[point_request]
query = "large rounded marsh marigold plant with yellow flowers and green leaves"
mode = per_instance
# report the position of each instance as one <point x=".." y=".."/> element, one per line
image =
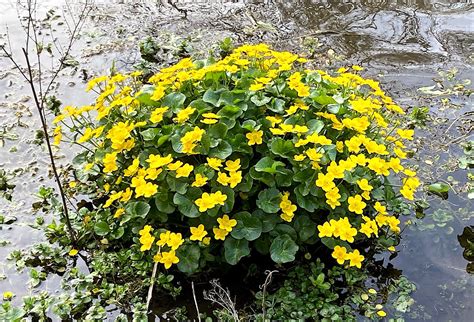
<point x="210" y="161"/>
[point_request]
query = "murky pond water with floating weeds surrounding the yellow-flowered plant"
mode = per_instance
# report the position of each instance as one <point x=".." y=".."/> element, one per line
<point x="404" y="44"/>
